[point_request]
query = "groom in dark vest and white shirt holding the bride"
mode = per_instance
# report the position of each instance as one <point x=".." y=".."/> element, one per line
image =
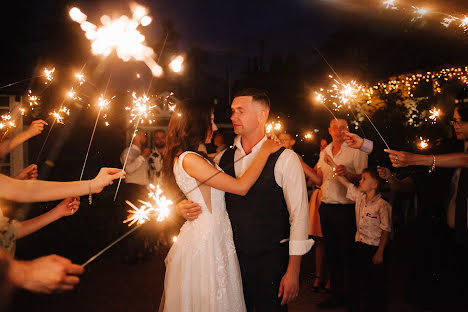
<point x="270" y="223"/>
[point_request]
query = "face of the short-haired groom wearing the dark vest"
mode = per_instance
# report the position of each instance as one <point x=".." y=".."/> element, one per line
<point x="248" y="116"/>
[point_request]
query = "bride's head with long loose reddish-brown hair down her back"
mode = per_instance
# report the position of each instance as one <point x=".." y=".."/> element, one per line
<point x="189" y="127"/>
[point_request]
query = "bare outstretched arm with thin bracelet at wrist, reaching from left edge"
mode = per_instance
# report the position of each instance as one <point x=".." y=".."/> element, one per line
<point x="36" y="191"/>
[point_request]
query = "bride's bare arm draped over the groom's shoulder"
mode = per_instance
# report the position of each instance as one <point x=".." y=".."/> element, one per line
<point x="200" y="169"/>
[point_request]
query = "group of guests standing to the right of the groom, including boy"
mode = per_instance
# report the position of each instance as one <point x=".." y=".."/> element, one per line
<point x="352" y="224"/>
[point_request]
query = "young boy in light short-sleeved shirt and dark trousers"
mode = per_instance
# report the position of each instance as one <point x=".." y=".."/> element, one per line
<point x="373" y="222"/>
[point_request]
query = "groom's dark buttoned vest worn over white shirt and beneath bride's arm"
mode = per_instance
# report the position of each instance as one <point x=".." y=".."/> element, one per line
<point x="260" y="219"/>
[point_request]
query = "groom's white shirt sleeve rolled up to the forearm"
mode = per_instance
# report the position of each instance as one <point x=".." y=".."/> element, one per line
<point x="290" y="176"/>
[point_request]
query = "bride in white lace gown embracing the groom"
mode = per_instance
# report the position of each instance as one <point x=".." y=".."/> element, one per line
<point x="202" y="270"/>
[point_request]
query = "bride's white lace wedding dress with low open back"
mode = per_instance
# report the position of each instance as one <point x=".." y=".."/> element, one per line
<point x="202" y="270"/>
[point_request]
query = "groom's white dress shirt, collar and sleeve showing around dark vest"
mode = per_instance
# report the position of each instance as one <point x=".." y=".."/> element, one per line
<point x="290" y="177"/>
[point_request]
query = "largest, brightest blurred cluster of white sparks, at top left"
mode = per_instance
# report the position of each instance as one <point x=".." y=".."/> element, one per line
<point x="120" y="35"/>
